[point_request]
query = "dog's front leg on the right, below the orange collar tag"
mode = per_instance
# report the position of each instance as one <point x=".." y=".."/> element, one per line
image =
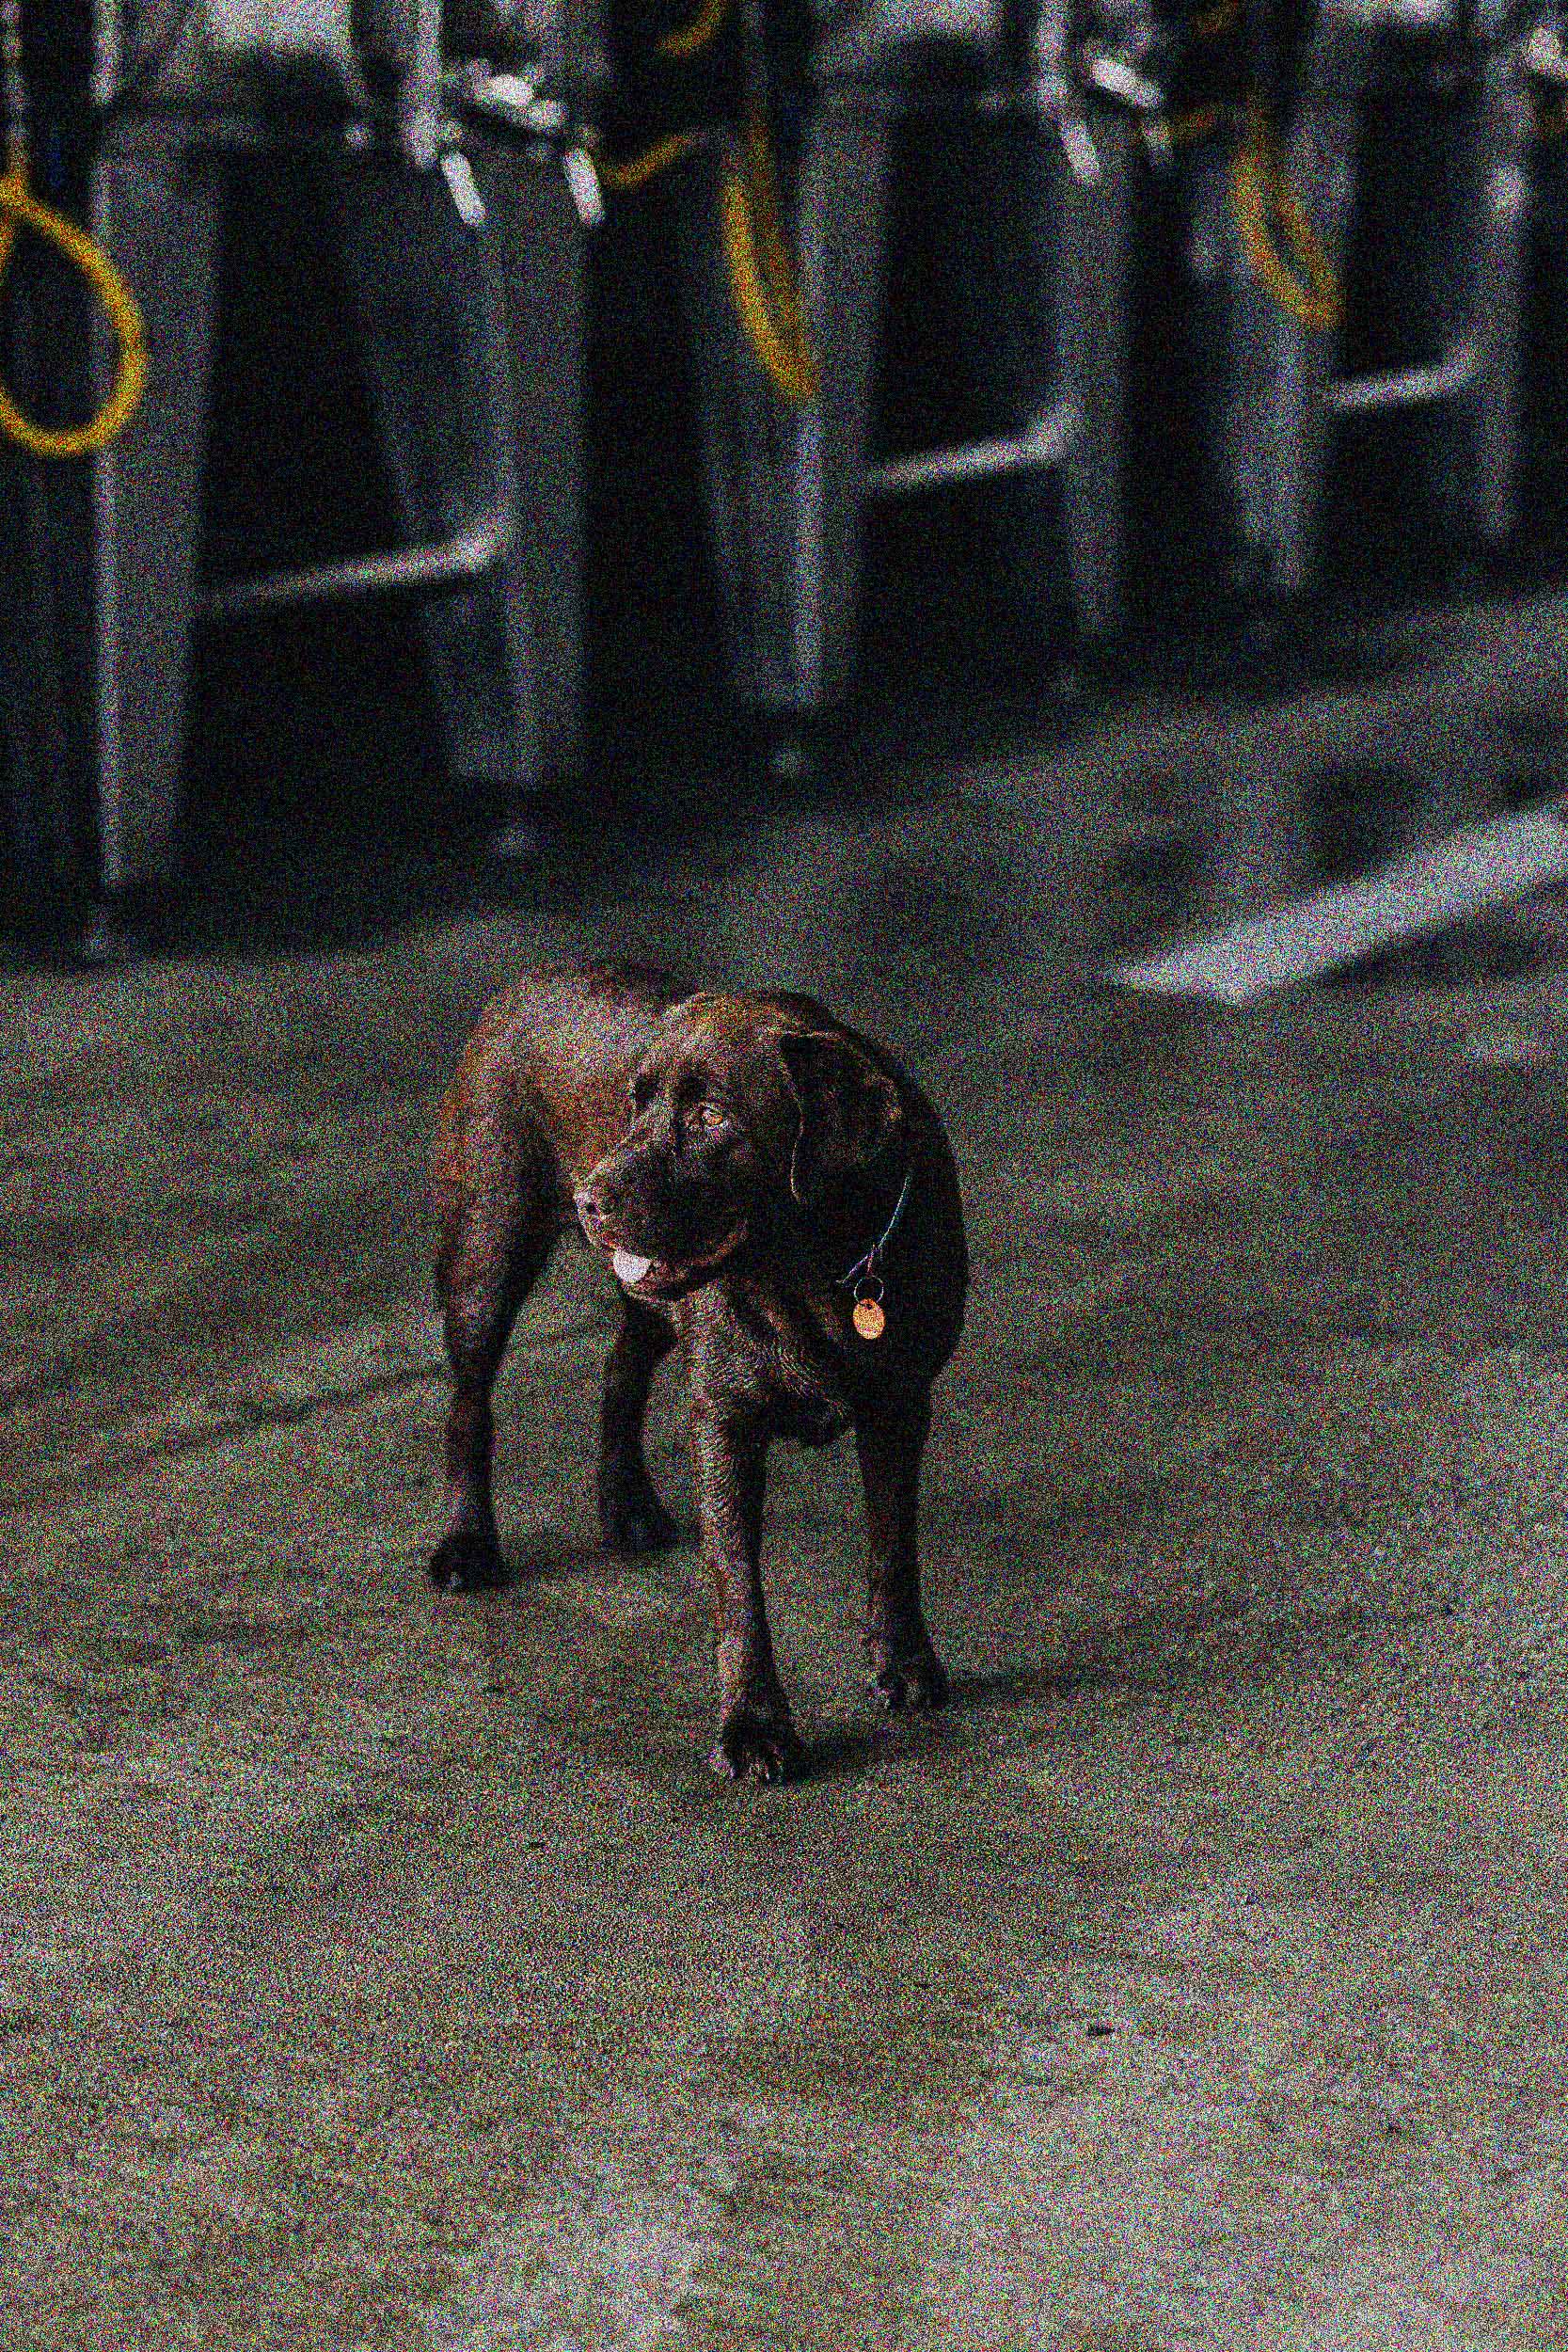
<point x="906" y="1671"/>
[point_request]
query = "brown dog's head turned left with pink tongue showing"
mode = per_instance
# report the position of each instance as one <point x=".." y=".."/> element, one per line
<point x="742" y="1109"/>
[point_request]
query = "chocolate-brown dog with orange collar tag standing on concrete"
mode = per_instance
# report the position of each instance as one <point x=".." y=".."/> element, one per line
<point x="770" y="1191"/>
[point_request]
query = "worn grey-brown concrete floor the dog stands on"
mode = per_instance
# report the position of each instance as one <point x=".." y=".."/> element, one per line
<point x="384" y="1970"/>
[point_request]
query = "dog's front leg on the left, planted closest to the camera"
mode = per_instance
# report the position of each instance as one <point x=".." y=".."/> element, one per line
<point x="756" y="1732"/>
